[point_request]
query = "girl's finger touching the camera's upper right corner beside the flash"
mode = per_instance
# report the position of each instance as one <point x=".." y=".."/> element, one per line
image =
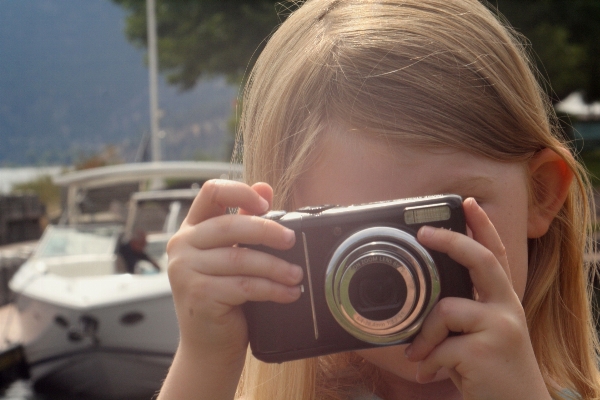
<point x="484" y="232"/>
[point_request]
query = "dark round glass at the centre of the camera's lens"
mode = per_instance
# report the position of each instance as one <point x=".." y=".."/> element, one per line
<point x="377" y="292"/>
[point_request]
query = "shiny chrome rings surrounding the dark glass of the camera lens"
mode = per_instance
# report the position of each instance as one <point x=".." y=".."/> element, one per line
<point x="399" y="250"/>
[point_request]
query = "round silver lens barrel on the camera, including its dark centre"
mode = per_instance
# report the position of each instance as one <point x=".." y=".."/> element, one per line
<point x="381" y="284"/>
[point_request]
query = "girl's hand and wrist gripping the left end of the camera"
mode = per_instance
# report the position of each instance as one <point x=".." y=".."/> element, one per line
<point x="211" y="278"/>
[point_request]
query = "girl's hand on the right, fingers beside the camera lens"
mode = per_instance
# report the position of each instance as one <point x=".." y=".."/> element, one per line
<point x="493" y="357"/>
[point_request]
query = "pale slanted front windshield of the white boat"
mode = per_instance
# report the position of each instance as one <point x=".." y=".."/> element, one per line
<point x="72" y="241"/>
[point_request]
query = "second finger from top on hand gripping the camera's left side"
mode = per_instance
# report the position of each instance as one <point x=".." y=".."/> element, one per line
<point x="231" y="229"/>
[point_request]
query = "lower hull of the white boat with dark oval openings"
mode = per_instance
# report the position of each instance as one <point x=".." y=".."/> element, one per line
<point x="115" y="351"/>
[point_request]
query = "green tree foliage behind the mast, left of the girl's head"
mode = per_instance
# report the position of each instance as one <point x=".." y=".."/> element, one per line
<point x="203" y="38"/>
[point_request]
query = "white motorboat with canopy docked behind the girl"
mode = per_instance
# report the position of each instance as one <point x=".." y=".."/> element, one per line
<point x="88" y="329"/>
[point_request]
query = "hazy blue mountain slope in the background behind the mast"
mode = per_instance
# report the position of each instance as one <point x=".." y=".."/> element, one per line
<point x="71" y="84"/>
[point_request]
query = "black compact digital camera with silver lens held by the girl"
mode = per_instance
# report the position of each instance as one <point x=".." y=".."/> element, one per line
<point x="367" y="281"/>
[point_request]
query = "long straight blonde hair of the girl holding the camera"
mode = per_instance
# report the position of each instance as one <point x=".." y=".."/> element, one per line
<point x="419" y="72"/>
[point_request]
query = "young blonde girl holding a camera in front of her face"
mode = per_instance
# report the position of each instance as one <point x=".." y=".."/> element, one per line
<point x="354" y="101"/>
